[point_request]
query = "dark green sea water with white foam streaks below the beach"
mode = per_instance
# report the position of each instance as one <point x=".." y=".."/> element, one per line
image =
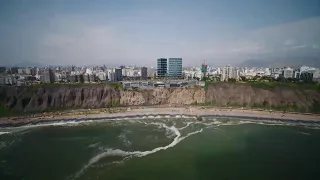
<point x="160" y="149"/>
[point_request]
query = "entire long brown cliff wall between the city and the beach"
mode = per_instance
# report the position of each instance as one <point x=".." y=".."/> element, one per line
<point x="44" y="98"/>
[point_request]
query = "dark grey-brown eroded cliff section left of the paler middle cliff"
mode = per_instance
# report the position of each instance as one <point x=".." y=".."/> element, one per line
<point x="29" y="99"/>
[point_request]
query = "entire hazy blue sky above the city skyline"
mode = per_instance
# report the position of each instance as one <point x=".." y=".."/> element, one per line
<point x="137" y="32"/>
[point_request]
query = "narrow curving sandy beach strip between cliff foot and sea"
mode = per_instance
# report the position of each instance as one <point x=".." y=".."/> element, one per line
<point x="245" y="114"/>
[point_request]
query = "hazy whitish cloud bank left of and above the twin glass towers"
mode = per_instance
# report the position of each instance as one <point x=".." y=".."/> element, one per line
<point x="107" y="44"/>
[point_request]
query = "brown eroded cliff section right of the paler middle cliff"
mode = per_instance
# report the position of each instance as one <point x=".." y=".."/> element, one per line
<point x="225" y="94"/>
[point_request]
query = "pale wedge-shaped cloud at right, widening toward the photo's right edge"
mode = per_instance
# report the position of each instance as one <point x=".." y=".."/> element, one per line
<point x="292" y="39"/>
